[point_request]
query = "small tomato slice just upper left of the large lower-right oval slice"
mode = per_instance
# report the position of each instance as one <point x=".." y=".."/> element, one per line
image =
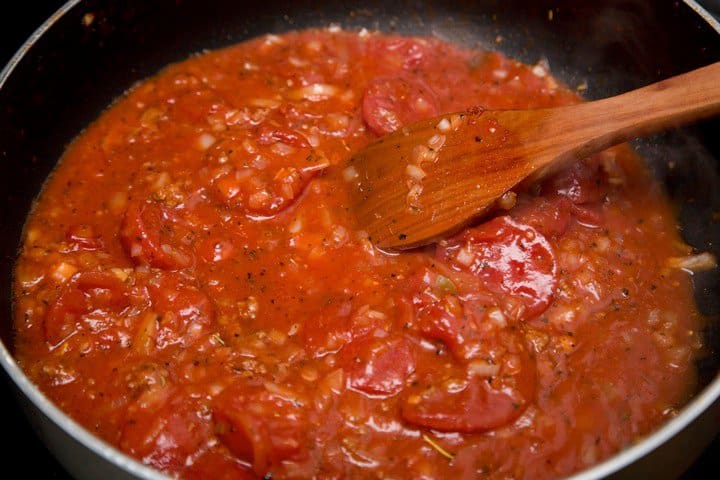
<point x="378" y="366"/>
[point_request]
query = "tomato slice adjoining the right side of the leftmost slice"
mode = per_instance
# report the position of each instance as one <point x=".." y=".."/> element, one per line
<point x="184" y="312"/>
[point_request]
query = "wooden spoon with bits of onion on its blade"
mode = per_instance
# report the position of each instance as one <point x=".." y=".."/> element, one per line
<point x="433" y="177"/>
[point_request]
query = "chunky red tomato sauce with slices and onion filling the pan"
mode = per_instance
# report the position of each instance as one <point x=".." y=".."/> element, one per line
<point x="192" y="288"/>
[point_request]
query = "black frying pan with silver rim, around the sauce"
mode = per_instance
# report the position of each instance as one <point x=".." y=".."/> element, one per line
<point x="73" y="71"/>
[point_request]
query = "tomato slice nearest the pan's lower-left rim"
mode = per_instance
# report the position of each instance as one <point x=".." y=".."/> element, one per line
<point x="167" y="434"/>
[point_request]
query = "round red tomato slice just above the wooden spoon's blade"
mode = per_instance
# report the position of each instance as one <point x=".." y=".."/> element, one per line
<point x="392" y="102"/>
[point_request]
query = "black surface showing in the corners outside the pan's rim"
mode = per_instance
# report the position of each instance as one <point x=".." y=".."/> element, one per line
<point x="17" y="22"/>
